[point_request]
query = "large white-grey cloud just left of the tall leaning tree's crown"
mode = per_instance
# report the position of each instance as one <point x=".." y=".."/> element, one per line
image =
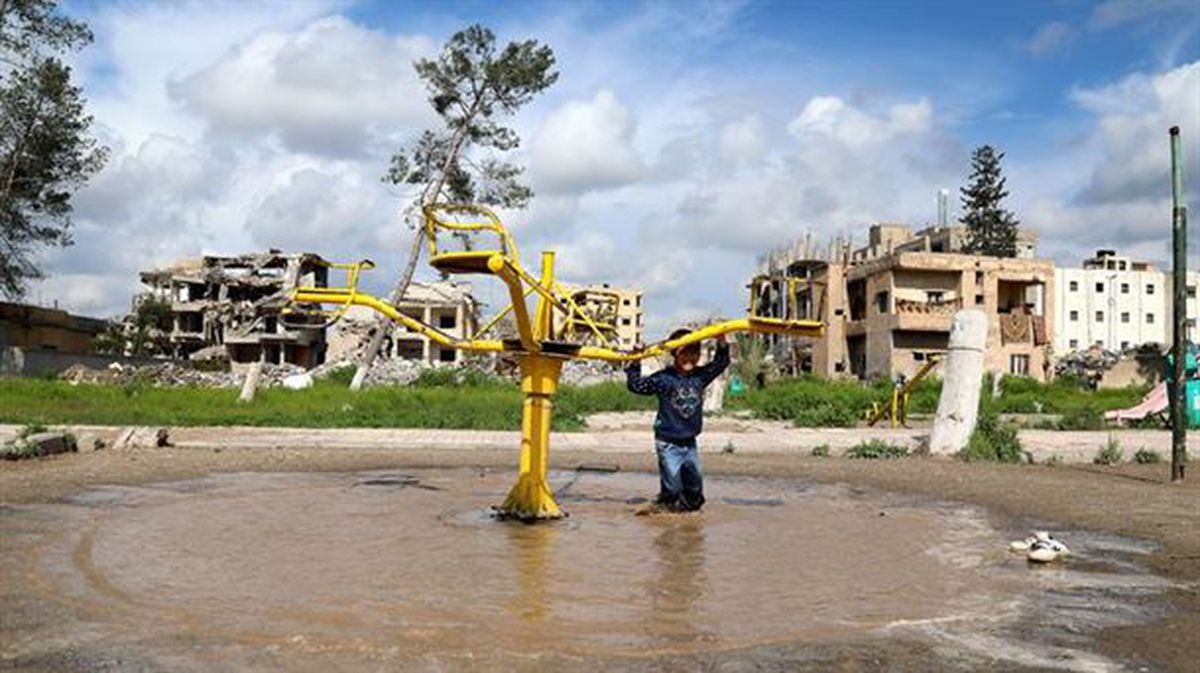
<point x="333" y="88"/>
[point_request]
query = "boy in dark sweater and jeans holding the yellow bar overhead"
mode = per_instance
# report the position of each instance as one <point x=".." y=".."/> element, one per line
<point x="681" y="392"/>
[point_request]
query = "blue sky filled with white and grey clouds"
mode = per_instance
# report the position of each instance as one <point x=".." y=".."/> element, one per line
<point x="681" y="141"/>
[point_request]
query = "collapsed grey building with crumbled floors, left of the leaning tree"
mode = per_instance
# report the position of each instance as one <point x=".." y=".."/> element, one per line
<point x="230" y="304"/>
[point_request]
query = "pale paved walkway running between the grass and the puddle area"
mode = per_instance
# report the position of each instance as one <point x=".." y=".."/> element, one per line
<point x="754" y="438"/>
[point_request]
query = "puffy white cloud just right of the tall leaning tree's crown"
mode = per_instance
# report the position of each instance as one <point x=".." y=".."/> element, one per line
<point x="585" y="146"/>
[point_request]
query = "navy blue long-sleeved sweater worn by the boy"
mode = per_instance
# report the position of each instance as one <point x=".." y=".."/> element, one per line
<point x="681" y="396"/>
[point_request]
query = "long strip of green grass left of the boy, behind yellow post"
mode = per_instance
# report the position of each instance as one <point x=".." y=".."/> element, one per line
<point x="481" y="404"/>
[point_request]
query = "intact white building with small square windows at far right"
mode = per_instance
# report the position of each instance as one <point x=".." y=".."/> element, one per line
<point x="1117" y="303"/>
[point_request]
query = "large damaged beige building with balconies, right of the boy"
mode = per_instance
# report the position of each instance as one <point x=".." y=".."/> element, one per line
<point x="889" y="307"/>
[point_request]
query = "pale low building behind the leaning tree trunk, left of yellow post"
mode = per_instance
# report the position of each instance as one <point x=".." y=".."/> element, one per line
<point x="446" y="305"/>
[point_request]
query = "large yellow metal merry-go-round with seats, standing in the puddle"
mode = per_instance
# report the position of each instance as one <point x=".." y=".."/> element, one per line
<point x="539" y="351"/>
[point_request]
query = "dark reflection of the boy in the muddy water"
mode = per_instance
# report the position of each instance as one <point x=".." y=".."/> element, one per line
<point x="676" y="597"/>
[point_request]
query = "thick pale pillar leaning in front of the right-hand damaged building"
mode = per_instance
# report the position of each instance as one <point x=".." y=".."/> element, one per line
<point x="963" y="372"/>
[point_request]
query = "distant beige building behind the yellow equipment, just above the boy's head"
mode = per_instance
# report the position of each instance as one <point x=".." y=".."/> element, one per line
<point x="617" y="311"/>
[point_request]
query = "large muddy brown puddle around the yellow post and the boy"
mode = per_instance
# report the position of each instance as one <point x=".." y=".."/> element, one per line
<point x="352" y="572"/>
